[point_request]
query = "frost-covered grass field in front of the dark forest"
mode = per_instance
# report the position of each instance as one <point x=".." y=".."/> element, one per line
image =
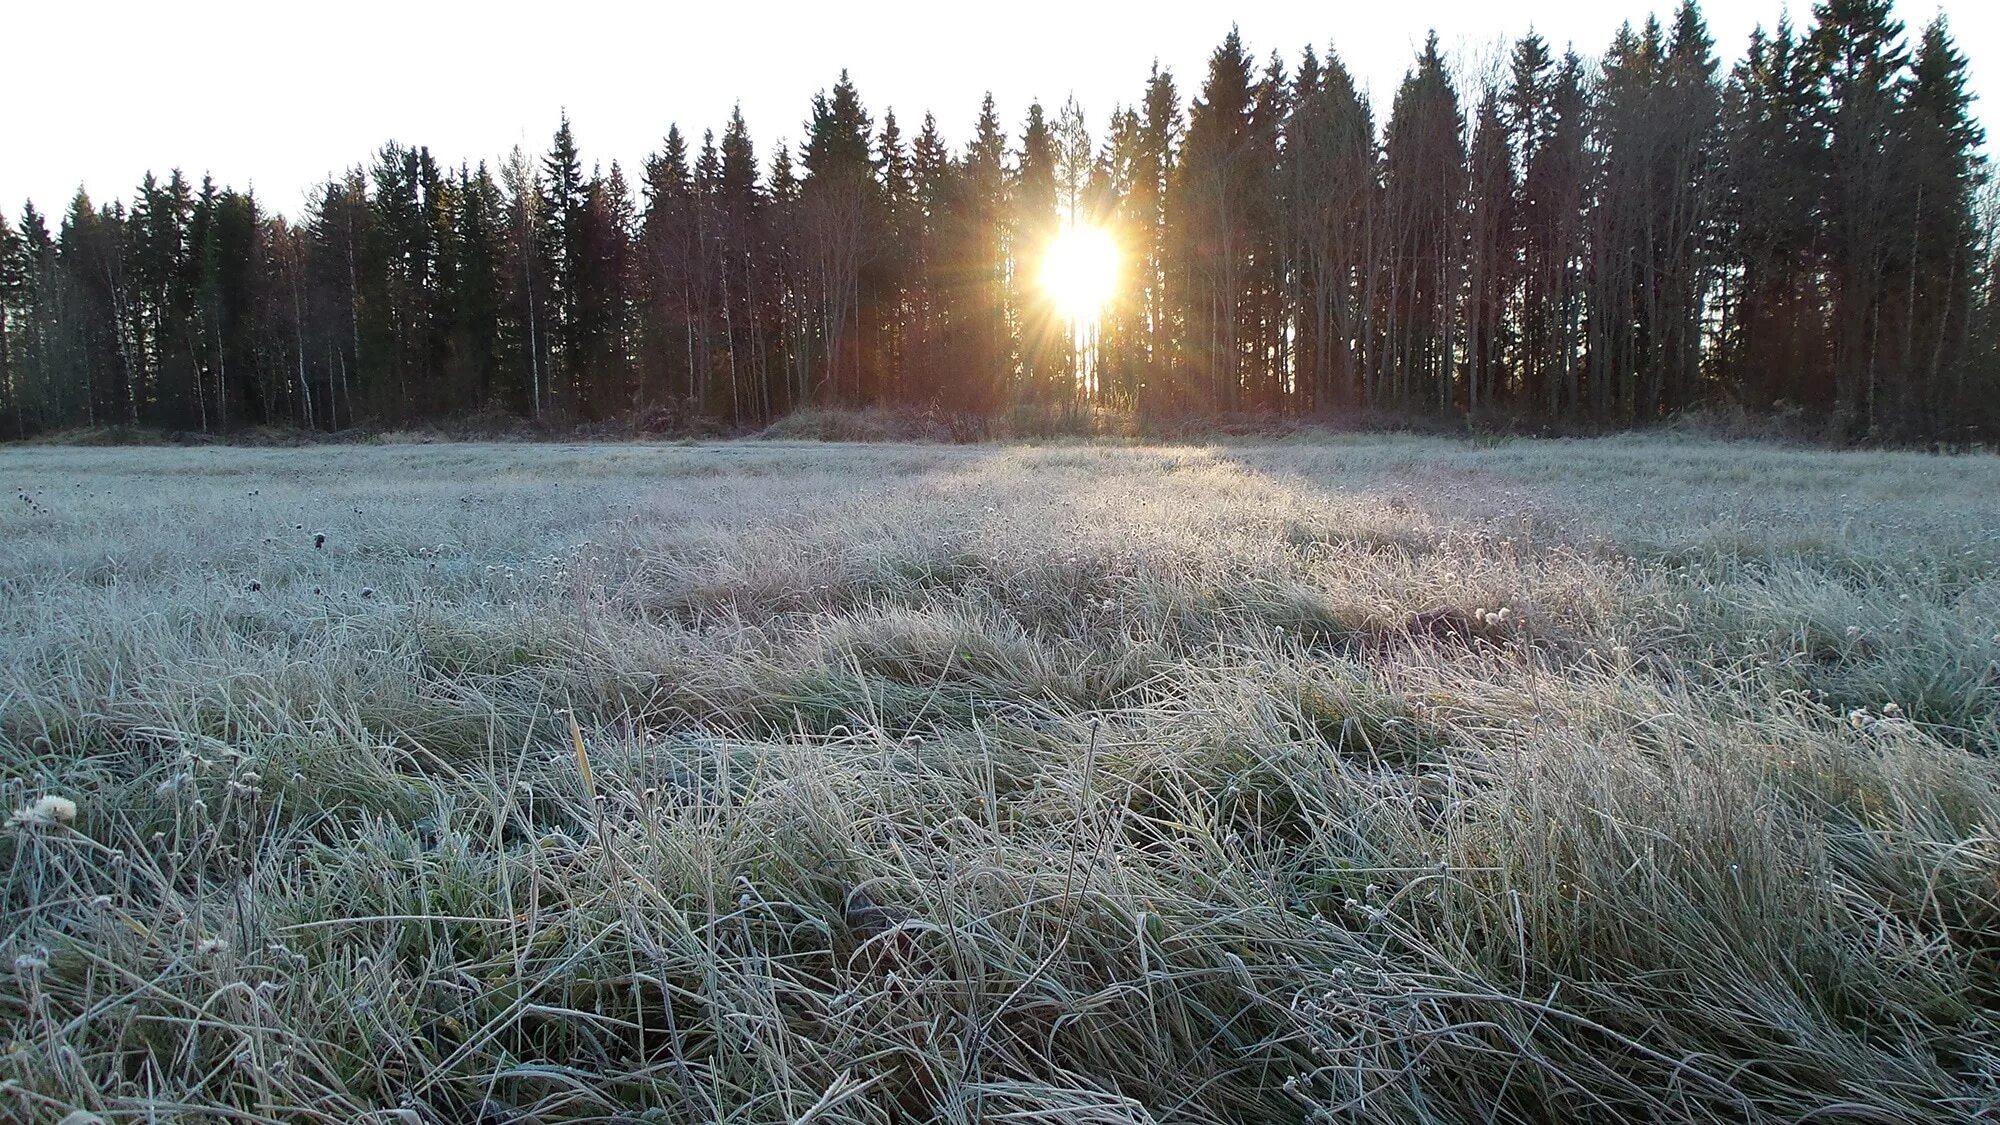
<point x="1365" y="780"/>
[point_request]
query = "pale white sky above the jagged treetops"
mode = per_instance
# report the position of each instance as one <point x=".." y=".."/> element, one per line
<point x="277" y="95"/>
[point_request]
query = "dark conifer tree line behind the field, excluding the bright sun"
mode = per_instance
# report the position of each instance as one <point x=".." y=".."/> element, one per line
<point x="1595" y="243"/>
